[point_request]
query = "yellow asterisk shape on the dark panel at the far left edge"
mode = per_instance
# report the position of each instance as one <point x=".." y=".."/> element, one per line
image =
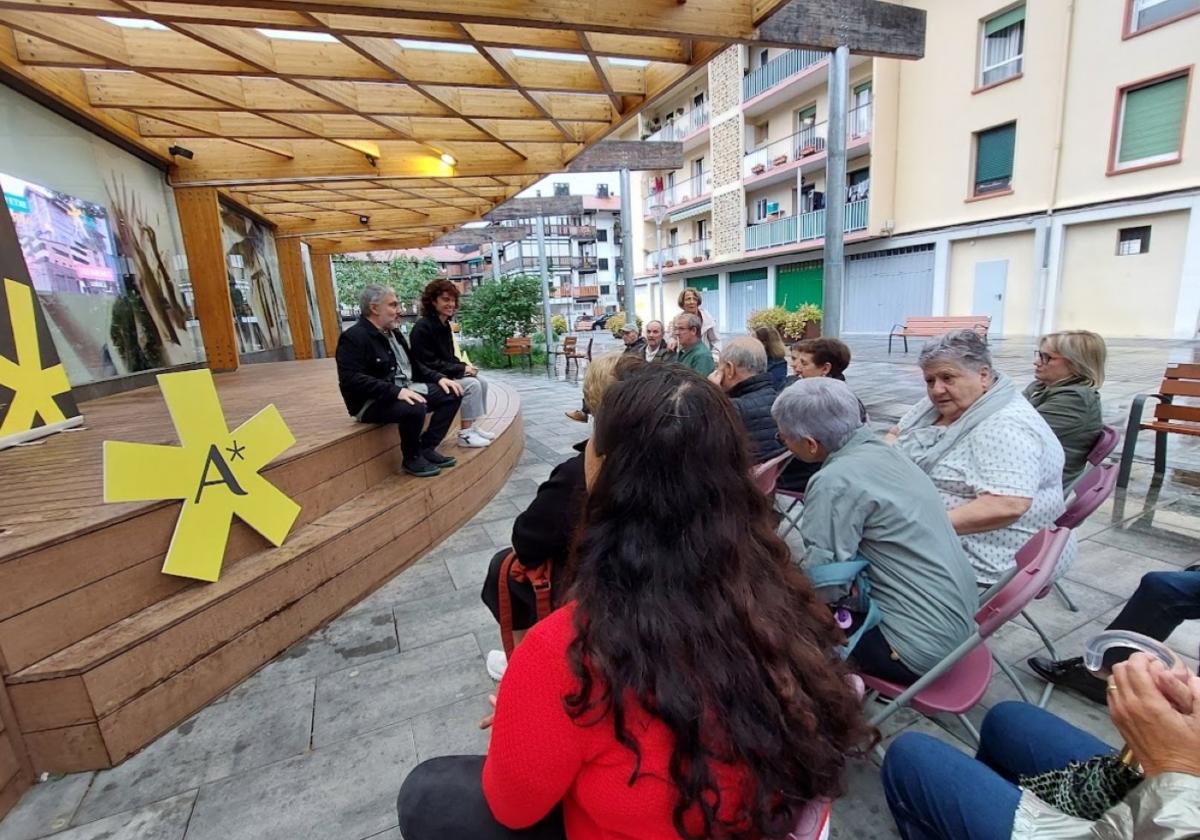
<point x="35" y="387"/>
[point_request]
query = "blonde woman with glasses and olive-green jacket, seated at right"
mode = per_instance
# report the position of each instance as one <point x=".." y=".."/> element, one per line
<point x="1069" y="369"/>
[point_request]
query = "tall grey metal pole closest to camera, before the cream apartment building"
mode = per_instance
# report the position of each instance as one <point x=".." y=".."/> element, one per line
<point x="836" y="194"/>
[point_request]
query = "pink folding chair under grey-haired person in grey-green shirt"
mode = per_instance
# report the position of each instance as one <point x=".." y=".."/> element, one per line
<point x="959" y="682"/>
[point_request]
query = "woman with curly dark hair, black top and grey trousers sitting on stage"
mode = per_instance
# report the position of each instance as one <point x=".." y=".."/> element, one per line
<point x="434" y="347"/>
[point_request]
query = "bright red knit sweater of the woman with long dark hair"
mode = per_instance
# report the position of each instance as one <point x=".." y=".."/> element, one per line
<point x="541" y="757"/>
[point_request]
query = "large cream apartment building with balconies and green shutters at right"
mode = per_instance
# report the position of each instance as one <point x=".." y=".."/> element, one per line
<point x="1036" y="166"/>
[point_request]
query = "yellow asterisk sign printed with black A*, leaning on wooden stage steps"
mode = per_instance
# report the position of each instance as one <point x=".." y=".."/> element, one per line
<point x="214" y="471"/>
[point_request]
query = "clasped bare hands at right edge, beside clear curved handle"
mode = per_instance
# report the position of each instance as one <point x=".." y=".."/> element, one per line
<point x="1163" y="739"/>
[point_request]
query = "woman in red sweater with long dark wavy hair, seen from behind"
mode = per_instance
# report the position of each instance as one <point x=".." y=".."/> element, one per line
<point x="689" y="687"/>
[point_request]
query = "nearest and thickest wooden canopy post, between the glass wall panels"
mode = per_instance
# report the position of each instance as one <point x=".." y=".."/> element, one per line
<point x="200" y="219"/>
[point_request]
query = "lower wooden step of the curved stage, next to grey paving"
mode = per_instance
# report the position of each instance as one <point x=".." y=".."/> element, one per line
<point x="107" y="695"/>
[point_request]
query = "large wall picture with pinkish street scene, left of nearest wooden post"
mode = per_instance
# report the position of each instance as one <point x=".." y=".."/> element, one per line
<point x="101" y="278"/>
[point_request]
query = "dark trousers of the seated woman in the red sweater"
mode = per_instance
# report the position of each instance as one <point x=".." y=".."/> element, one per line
<point x="443" y="800"/>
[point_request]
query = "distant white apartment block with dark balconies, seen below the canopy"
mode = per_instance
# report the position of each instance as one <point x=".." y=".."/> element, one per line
<point x="583" y="253"/>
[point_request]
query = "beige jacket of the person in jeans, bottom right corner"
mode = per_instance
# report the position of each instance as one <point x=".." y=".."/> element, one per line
<point x="1165" y="808"/>
